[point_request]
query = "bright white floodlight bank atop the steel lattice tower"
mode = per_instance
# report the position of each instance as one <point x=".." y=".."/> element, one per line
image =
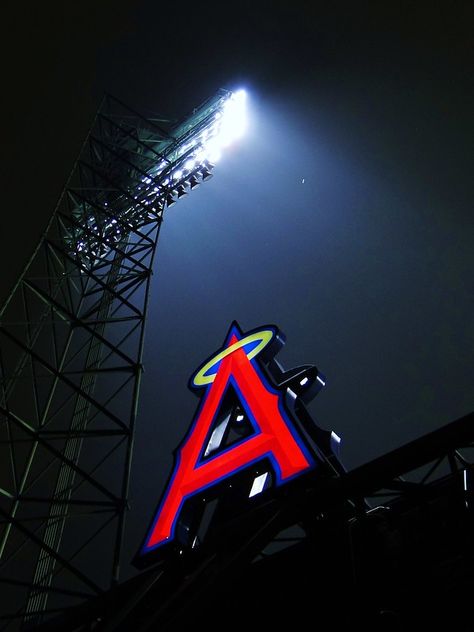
<point x="186" y="162"/>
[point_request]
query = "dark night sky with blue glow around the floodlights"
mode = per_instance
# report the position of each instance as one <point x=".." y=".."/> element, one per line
<point x="344" y="216"/>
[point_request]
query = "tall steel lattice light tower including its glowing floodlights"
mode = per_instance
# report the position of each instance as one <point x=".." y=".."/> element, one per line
<point x="71" y="344"/>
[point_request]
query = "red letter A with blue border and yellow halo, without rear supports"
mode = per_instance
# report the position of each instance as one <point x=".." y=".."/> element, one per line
<point x="207" y="456"/>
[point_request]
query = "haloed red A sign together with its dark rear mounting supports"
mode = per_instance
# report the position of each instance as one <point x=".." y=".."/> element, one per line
<point x="244" y="423"/>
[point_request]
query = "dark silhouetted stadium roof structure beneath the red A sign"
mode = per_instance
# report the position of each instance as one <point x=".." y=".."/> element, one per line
<point x="312" y="551"/>
